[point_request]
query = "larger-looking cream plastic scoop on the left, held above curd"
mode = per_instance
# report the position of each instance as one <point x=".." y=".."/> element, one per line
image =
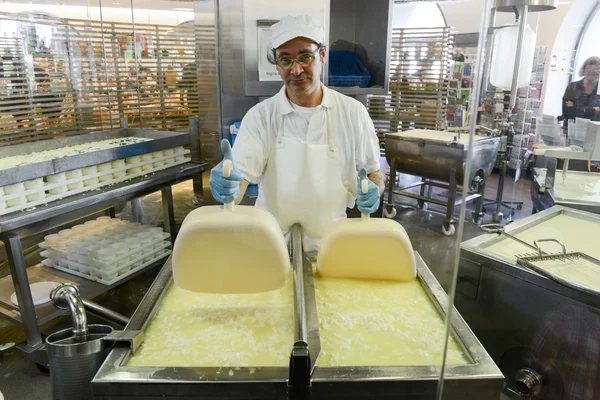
<point x="223" y="251"/>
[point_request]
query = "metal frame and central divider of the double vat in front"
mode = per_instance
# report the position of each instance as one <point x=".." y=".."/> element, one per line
<point x="303" y="380"/>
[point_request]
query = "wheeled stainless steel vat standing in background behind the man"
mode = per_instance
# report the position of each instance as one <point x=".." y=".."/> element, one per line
<point x="440" y="163"/>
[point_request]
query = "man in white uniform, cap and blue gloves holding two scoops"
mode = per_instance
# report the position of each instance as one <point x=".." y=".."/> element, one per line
<point x="307" y="145"/>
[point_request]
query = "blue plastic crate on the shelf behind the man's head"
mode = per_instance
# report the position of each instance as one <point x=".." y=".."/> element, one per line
<point x="345" y="69"/>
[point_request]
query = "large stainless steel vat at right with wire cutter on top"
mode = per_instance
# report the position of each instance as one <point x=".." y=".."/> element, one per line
<point x="509" y="306"/>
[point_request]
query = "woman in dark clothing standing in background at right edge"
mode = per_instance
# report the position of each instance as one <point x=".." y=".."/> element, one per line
<point x="581" y="99"/>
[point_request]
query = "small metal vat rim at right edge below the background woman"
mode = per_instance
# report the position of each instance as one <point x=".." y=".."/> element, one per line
<point x="544" y="195"/>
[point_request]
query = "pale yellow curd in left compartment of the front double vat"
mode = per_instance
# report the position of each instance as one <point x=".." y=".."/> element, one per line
<point x="217" y="330"/>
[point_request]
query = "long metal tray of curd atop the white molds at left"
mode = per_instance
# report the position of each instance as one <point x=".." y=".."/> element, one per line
<point x="160" y="140"/>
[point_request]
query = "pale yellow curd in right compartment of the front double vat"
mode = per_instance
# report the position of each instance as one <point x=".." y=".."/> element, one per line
<point x="380" y="323"/>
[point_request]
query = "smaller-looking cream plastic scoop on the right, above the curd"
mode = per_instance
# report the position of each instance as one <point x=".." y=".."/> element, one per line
<point x="367" y="248"/>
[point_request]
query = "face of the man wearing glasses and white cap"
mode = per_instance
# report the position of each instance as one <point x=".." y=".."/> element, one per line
<point x="301" y="79"/>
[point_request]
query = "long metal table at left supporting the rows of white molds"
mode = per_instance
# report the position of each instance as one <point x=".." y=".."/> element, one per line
<point x="42" y="218"/>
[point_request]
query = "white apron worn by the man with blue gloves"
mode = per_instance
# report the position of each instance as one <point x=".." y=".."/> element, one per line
<point x="302" y="183"/>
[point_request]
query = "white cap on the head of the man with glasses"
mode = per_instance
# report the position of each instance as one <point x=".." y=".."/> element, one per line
<point x="291" y="27"/>
